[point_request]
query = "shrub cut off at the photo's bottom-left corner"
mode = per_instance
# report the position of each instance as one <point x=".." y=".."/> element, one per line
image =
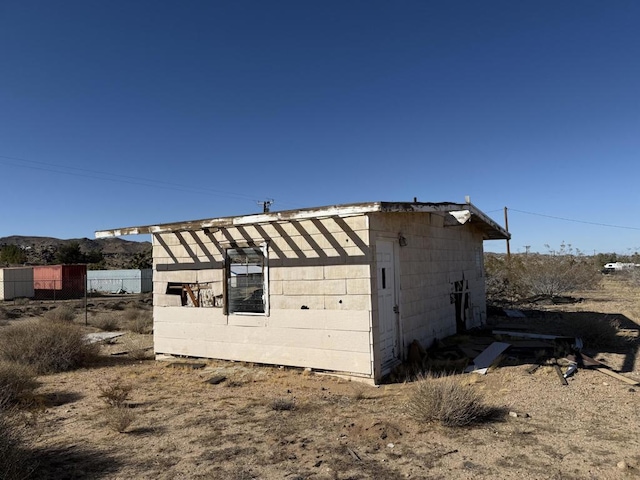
<point x="15" y="461"/>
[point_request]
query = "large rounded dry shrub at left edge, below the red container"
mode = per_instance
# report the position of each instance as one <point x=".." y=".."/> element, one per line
<point x="47" y="346"/>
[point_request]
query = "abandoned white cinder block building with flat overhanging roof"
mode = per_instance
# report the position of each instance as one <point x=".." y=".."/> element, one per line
<point x="344" y="288"/>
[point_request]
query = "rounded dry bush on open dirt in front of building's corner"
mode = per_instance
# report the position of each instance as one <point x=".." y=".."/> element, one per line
<point x="449" y="402"/>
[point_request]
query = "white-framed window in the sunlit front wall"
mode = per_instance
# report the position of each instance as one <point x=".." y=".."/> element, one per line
<point x="246" y="280"/>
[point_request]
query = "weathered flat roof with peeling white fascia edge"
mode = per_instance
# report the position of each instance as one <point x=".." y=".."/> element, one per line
<point x="455" y="212"/>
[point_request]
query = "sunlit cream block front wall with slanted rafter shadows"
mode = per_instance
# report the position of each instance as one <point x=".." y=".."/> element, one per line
<point x="319" y="295"/>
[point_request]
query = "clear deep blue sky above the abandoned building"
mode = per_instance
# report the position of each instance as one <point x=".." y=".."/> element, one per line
<point x="123" y="113"/>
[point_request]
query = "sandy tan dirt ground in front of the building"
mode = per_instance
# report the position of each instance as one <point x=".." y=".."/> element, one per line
<point x="279" y="423"/>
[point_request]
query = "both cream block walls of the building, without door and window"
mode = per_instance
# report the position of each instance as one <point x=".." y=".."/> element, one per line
<point x="321" y="285"/>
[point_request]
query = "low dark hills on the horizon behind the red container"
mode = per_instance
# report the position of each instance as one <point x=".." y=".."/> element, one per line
<point x="117" y="253"/>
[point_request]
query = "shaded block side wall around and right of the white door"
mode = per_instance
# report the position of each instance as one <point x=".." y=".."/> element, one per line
<point x="433" y="259"/>
